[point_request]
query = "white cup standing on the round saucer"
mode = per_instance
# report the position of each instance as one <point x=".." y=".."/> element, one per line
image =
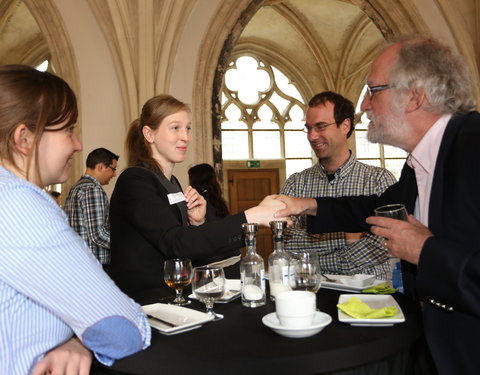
<point x="296" y="308"/>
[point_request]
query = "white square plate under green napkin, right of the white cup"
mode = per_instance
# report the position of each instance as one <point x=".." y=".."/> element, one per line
<point x="375" y="301"/>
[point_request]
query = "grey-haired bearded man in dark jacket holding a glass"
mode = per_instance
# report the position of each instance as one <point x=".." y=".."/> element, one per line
<point x="420" y="98"/>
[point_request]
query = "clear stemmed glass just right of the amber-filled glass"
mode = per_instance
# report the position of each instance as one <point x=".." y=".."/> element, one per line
<point x="209" y="286"/>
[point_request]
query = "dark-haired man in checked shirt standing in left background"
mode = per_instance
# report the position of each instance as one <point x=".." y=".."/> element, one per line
<point x="87" y="204"/>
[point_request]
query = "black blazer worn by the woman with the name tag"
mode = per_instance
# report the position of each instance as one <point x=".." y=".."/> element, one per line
<point x="145" y="230"/>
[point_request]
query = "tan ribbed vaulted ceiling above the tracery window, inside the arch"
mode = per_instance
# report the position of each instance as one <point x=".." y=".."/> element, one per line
<point x="323" y="45"/>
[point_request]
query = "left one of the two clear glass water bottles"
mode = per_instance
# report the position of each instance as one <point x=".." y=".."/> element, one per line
<point x="252" y="270"/>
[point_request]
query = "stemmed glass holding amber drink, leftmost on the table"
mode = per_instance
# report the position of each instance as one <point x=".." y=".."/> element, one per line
<point x="177" y="274"/>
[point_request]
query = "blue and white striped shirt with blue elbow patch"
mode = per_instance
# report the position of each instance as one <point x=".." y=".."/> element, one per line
<point x="52" y="287"/>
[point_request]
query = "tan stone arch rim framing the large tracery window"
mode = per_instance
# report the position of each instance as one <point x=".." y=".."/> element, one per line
<point x="391" y="19"/>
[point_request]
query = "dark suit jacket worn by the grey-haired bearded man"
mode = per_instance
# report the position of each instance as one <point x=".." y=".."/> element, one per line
<point x="447" y="278"/>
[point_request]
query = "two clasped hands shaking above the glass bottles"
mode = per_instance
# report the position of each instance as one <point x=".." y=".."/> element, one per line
<point x="280" y="207"/>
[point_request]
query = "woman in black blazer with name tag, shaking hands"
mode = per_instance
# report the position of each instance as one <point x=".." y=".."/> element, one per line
<point x="152" y="218"/>
